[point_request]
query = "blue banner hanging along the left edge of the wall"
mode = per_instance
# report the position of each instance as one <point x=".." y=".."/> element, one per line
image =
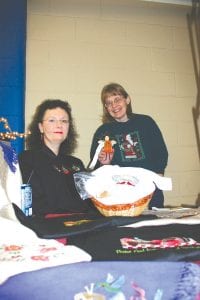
<point x="13" y="16"/>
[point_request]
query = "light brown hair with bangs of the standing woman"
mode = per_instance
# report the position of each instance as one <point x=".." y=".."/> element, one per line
<point x="110" y="90"/>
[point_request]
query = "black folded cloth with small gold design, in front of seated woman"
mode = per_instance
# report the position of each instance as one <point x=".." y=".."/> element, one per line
<point x="65" y="225"/>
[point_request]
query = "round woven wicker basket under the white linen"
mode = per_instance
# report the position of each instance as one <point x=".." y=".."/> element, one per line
<point x="126" y="210"/>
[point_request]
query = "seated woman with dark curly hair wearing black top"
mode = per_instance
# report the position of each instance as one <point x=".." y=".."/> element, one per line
<point x="48" y="165"/>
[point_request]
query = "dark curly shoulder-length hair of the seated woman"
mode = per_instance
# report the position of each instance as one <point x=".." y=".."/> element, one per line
<point x="34" y="141"/>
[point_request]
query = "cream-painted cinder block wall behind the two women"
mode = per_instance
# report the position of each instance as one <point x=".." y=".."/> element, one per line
<point x="75" y="47"/>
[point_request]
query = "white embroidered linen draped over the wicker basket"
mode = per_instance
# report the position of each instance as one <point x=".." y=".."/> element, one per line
<point x="121" y="185"/>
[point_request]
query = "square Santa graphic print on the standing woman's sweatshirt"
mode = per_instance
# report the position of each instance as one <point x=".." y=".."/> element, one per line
<point x="130" y="146"/>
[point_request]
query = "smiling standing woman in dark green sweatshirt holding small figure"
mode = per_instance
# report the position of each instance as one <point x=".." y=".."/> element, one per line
<point x="139" y="141"/>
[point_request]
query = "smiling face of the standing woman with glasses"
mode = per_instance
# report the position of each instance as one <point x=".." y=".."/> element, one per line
<point x="116" y="106"/>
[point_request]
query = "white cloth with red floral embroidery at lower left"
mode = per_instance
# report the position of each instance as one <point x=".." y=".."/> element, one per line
<point x="22" y="251"/>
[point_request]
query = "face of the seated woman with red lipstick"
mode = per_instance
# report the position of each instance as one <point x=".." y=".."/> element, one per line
<point x="54" y="126"/>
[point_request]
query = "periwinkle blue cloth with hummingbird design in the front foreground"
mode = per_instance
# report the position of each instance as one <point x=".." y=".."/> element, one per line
<point x="157" y="280"/>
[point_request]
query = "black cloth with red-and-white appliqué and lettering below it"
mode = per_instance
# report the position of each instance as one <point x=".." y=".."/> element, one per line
<point x="166" y="242"/>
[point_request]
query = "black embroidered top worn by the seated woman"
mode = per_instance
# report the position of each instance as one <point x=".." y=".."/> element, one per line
<point x="52" y="182"/>
